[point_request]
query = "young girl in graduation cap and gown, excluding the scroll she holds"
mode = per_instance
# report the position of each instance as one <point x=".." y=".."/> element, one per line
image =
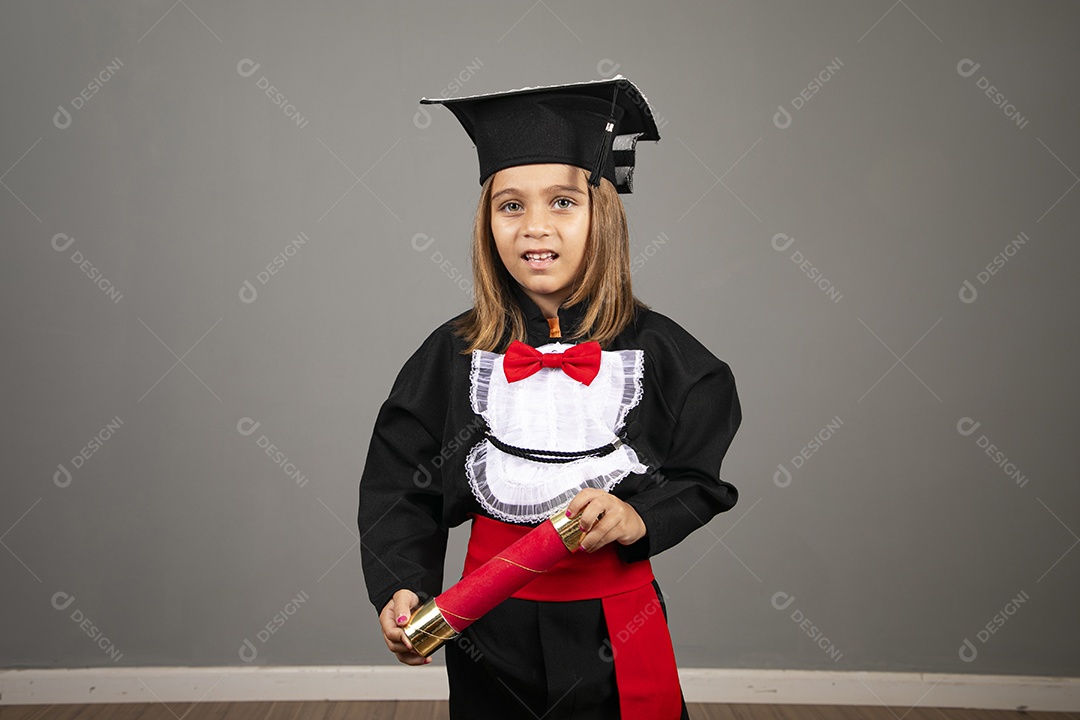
<point x="558" y="387"/>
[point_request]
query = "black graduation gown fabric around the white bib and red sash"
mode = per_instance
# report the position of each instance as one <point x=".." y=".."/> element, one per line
<point x="414" y="488"/>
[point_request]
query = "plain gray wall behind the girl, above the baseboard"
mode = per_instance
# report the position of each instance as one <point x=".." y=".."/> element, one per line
<point x="892" y="544"/>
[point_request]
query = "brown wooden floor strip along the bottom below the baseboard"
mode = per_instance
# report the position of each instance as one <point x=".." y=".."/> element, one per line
<point x="437" y="711"/>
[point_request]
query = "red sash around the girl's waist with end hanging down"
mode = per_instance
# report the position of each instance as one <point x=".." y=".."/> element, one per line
<point x="641" y="645"/>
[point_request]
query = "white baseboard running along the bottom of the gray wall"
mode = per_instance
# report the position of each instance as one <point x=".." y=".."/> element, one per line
<point x="187" y="685"/>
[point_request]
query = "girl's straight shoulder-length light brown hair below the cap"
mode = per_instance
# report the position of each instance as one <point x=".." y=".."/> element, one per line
<point x="497" y="318"/>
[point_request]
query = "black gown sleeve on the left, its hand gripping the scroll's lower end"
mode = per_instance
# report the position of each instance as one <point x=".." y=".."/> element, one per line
<point x="402" y="532"/>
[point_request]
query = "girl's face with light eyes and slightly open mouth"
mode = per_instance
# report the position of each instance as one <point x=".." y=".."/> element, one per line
<point x="541" y="219"/>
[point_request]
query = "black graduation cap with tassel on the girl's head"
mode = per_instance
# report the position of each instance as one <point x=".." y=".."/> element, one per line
<point x="593" y="125"/>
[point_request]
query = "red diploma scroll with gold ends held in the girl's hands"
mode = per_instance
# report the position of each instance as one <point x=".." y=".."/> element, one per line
<point x="442" y="618"/>
